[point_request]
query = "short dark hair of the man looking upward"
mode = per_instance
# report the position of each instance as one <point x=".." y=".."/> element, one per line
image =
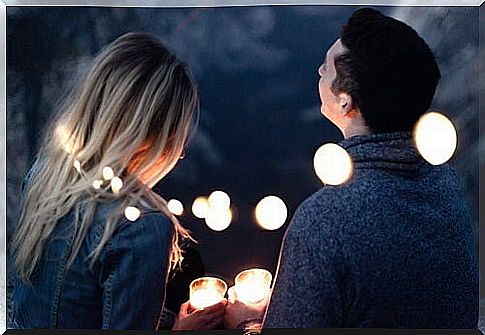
<point x="389" y="71"/>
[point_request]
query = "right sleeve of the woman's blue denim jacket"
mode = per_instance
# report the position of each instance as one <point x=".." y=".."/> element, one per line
<point x="134" y="273"/>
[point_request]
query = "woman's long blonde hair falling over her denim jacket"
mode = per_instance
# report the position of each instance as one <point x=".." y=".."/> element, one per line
<point x="132" y="112"/>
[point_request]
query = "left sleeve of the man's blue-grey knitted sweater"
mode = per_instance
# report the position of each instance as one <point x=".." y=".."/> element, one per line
<point x="308" y="290"/>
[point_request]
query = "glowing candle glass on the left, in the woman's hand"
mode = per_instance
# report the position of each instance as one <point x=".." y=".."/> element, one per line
<point x="206" y="291"/>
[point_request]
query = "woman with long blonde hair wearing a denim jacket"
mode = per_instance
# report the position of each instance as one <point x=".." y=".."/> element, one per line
<point x="94" y="243"/>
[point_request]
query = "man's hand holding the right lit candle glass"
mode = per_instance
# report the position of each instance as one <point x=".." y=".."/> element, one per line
<point x="238" y="312"/>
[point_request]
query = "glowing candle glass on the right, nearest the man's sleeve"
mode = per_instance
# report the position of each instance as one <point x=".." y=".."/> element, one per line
<point x="253" y="285"/>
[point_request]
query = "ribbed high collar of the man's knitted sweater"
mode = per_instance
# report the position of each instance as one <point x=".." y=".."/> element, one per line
<point x="389" y="151"/>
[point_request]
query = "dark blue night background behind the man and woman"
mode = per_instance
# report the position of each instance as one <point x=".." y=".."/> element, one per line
<point x="260" y="122"/>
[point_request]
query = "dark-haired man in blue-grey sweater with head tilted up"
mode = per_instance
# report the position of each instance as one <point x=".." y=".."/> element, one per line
<point x="393" y="247"/>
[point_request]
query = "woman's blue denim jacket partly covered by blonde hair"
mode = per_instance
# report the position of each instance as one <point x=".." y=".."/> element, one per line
<point x="124" y="289"/>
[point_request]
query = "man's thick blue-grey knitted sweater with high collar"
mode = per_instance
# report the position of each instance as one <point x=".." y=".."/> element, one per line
<point x="392" y="248"/>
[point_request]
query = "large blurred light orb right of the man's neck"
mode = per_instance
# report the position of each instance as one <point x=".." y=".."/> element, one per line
<point x="435" y="137"/>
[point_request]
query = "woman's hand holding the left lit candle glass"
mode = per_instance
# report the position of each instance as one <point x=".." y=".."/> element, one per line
<point x="200" y="319"/>
